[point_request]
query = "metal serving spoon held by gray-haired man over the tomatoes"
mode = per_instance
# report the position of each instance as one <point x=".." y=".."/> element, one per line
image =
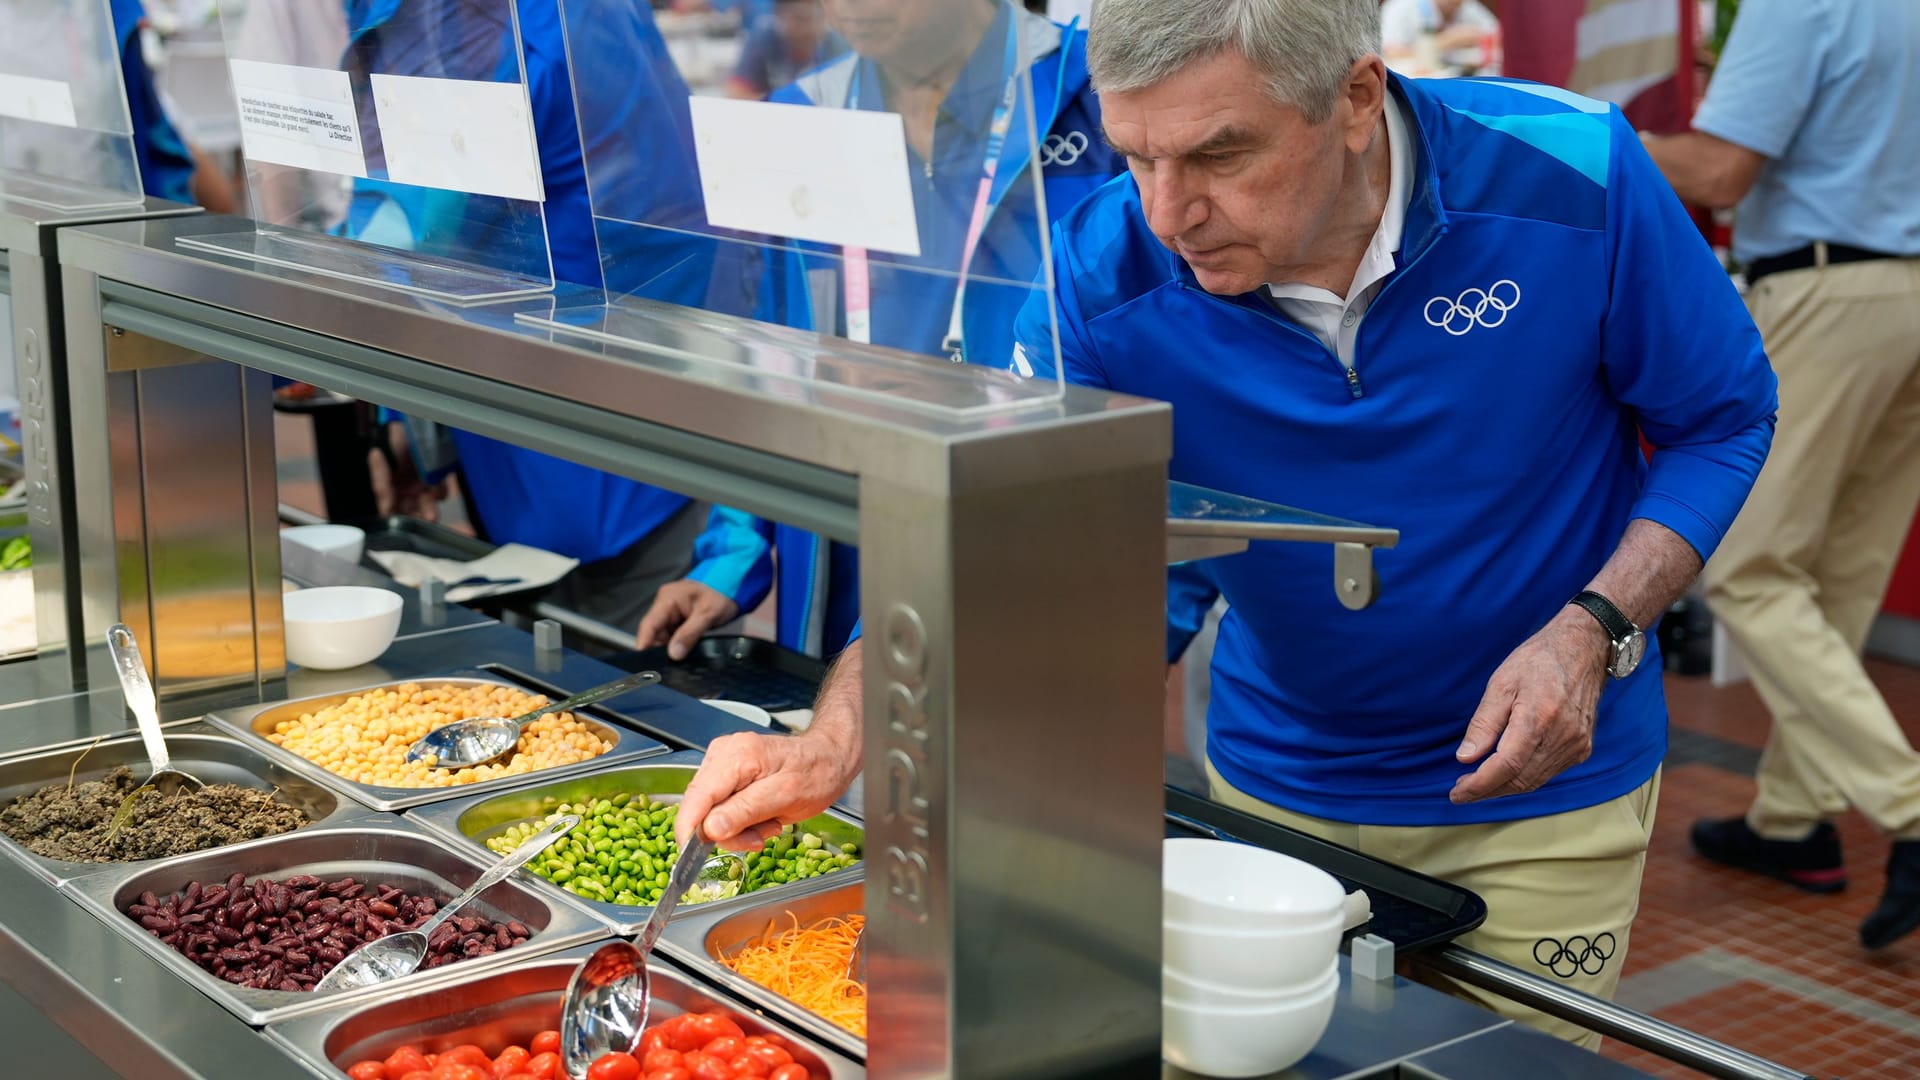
<point x="610" y="996"/>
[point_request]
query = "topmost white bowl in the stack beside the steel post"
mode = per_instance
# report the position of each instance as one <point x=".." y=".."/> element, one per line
<point x="1212" y="883"/>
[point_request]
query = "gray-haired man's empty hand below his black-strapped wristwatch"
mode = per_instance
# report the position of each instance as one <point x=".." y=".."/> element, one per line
<point x="1539" y="708"/>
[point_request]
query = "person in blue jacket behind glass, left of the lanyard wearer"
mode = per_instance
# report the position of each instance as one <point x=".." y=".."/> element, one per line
<point x="627" y="535"/>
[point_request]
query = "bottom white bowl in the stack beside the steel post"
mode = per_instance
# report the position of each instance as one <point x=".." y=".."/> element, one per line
<point x="1245" y="1043"/>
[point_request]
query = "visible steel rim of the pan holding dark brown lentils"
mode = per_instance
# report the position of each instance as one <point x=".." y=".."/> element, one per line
<point x="197" y="749"/>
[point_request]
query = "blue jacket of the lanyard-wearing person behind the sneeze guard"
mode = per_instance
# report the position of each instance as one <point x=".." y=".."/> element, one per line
<point x="736" y="556"/>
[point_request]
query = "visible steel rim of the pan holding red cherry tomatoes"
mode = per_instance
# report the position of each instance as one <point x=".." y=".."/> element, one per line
<point x="504" y="1008"/>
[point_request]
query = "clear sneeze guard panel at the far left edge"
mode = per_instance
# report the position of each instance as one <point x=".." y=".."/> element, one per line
<point x="66" y="141"/>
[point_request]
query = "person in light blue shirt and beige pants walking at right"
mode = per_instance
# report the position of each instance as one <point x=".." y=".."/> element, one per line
<point x="1812" y="130"/>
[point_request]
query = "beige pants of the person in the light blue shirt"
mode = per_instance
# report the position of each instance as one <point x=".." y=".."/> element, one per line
<point x="1804" y="570"/>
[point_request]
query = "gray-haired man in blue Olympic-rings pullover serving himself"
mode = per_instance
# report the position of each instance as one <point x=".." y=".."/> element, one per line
<point x="1451" y="308"/>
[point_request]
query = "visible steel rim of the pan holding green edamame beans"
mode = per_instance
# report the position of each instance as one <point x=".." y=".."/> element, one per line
<point x="479" y="818"/>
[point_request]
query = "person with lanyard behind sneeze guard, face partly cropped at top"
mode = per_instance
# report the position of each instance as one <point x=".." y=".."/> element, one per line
<point x="946" y="68"/>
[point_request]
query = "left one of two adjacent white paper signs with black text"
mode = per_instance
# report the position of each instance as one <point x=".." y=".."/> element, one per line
<point x="299" y="116"/>
